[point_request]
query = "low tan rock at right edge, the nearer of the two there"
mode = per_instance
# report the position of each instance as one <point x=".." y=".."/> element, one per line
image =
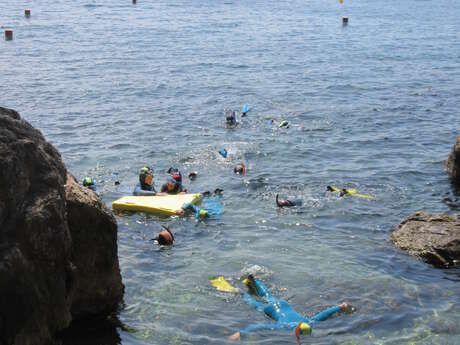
<point x="433" y="237"/>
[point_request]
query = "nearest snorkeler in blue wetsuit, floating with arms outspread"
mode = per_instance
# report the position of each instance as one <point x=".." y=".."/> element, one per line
<point x="281" y="311"/>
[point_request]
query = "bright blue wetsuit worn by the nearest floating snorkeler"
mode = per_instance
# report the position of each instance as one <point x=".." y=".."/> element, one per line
<point x="281" y="311"/>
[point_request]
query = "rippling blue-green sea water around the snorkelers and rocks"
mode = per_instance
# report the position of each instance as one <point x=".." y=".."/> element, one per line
<point x="373" y="105"/>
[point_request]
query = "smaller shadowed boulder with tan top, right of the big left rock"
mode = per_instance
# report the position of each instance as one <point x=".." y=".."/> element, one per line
<point x="94" y="252"/>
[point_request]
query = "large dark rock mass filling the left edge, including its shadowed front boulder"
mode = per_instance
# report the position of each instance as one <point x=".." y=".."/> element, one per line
<point x="58" y="243"/>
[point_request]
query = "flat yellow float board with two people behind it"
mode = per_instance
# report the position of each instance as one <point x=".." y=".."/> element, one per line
<point x="161" y="205"/>
